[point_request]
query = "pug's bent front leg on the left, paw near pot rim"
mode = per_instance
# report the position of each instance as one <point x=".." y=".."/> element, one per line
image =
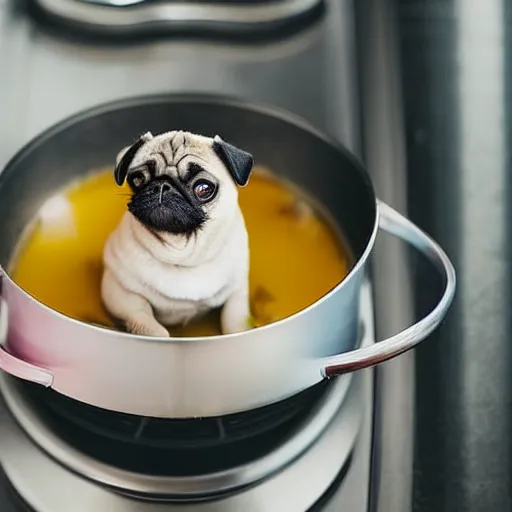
<point x="130" y="308"/>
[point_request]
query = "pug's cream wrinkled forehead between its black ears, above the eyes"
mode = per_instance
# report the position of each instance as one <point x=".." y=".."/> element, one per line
<point x="173" y="152"/>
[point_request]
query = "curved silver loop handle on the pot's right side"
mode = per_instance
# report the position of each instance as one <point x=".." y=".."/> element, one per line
<point x="396" y="224"/>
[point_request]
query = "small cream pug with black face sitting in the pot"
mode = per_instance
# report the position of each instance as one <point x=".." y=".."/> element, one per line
<point x="181" y="249"/>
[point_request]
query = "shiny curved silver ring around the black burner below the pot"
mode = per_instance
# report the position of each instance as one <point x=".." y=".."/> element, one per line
<point x="192" y="487"/>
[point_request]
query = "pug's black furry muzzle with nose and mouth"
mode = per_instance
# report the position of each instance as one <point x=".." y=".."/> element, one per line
<point x="166" y="207"/>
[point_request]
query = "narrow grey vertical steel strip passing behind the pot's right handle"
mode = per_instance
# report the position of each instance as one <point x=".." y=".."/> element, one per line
<point x="392" y="276"/>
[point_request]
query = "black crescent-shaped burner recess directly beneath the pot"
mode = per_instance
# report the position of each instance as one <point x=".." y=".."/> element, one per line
<point x="170" y="447"/>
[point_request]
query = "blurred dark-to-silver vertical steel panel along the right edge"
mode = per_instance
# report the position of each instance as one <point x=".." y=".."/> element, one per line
<point x="456" y="71"/>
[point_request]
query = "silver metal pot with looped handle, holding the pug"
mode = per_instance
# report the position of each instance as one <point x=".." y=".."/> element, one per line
<point x="210" y="376"/>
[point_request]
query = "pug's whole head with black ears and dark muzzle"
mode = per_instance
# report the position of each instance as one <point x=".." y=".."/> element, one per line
<point x="181" y="181"/>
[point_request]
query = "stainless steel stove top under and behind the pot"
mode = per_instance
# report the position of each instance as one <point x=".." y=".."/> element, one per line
<point x="346" y="445"/>
